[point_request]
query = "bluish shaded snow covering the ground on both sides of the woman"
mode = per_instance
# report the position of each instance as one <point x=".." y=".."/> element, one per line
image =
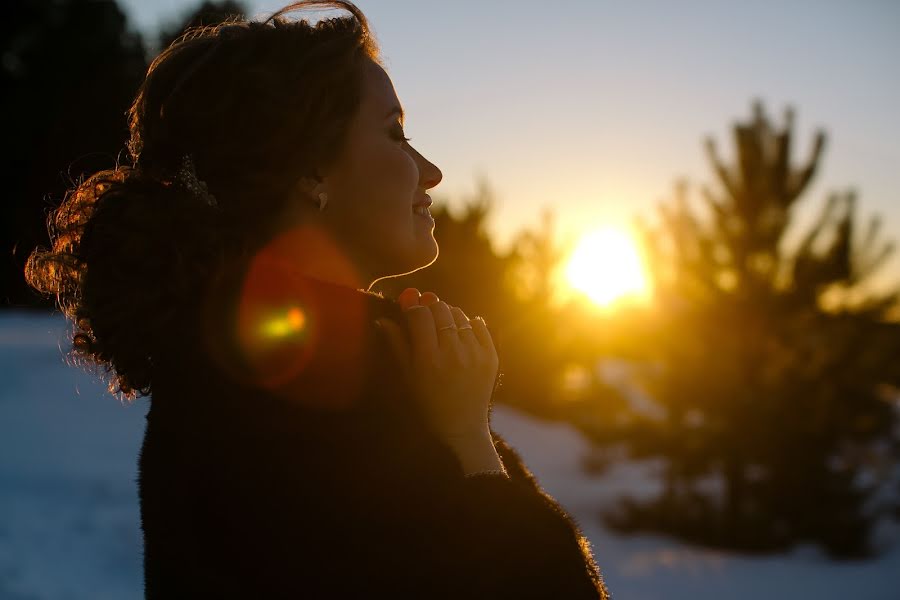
<point x="69" y="524"/>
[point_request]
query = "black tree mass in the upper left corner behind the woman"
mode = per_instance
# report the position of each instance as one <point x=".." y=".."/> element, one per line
<point x="70" y="69"/>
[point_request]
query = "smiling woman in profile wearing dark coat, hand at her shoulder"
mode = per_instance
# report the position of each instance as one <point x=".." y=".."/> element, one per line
<point x="307" y="437"/>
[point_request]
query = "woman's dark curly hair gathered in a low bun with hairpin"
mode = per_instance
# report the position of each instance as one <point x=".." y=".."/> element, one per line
<point x="258" y="105"/>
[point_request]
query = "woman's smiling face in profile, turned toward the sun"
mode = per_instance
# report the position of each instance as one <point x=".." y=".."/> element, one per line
<point x="375" y="182"/>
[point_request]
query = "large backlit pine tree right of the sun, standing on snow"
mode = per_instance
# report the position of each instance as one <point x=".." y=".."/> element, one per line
<point x="775" y="367"/>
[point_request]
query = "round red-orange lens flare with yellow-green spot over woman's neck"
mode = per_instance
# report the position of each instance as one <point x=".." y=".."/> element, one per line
<point x="301" y="337"/>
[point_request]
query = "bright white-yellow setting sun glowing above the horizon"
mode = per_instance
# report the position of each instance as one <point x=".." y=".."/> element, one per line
<point x="606" y="266"/>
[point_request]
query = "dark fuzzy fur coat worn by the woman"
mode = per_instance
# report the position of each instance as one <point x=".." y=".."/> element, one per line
<point x="341" y="492"/>
